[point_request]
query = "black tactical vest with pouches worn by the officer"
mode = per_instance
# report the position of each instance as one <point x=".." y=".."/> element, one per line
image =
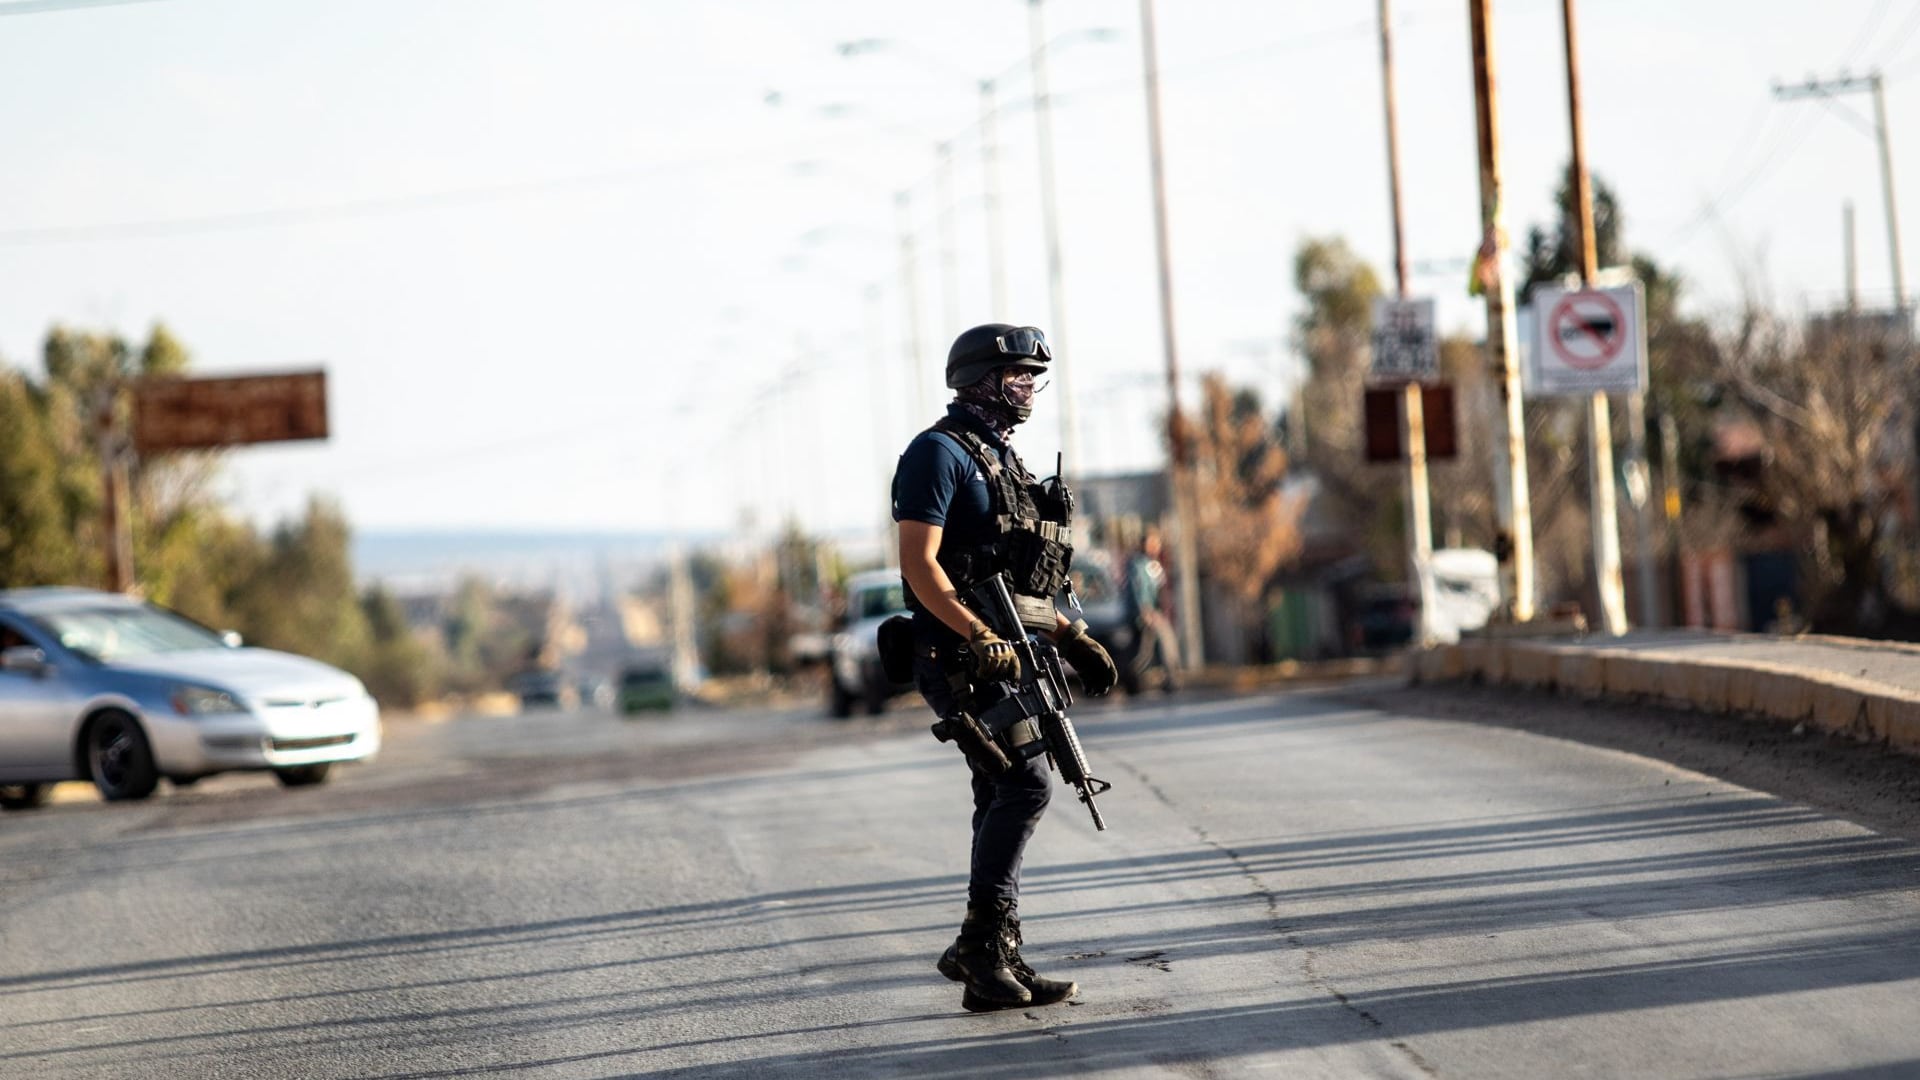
<point x="1032" y="537"/>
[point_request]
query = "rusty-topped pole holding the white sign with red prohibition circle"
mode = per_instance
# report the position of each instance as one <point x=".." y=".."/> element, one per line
<point x="1604" y="510"/>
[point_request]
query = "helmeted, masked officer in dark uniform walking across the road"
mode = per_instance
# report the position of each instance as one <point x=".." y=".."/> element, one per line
<point x="971" y="510"/>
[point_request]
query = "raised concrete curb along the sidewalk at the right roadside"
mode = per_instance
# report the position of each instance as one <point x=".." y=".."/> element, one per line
<point x="1591" y="670"/>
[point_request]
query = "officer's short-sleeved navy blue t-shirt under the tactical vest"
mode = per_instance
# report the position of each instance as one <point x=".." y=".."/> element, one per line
<point x="940" y="483"/>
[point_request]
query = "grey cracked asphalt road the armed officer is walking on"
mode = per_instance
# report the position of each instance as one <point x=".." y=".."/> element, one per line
<point x="1291" y="885"/>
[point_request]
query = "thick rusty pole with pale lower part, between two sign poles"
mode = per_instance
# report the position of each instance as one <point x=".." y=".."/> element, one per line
<point x="1516" y="539"/>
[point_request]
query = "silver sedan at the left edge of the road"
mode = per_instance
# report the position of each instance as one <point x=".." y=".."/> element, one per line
<point x="107" y="689"/>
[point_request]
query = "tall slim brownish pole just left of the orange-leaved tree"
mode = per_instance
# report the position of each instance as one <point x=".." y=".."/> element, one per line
<point x="1180" y="474"/>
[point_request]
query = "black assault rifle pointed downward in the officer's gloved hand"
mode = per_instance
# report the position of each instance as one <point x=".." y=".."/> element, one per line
<point x="1030" y="716"/>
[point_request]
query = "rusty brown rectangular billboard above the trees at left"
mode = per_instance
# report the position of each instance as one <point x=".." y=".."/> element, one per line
<point x="204" y="414"/>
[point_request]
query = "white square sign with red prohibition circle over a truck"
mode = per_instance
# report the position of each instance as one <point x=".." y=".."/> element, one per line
<point x="1589" y="341"/>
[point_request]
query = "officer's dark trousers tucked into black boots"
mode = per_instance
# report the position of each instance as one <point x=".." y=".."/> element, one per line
<point x="1005" y="808"/>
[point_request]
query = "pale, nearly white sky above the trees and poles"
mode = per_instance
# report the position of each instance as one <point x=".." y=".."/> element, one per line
<point x="606" y="266"/>
